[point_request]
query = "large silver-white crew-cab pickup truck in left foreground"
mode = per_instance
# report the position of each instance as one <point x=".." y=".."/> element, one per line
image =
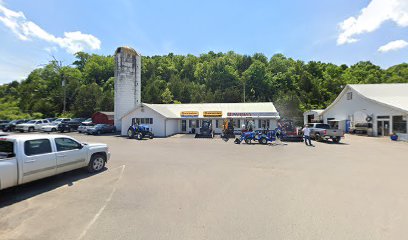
<point x="25" y="158"/>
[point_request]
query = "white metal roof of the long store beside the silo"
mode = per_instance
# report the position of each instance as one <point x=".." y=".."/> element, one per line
<point x="265" y="109"/>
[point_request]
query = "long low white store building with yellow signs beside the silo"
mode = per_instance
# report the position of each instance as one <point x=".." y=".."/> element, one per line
<point x="169" y="119"/>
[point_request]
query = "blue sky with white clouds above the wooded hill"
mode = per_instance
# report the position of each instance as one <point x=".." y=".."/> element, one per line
<point x="336" y="31"/>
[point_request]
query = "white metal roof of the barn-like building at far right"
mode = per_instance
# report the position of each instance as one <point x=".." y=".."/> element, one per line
<point x="391" y="94"/>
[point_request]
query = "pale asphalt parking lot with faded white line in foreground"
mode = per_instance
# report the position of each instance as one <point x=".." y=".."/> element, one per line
<point x="185" y="188"/>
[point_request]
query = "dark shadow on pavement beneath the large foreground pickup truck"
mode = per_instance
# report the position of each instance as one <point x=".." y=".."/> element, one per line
<point x="20" y="193"/>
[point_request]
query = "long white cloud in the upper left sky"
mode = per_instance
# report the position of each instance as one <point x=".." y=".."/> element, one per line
<point x="26" y="30"/>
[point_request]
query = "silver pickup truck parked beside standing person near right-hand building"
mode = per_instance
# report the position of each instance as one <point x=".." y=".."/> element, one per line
<point x="321" y="131"/>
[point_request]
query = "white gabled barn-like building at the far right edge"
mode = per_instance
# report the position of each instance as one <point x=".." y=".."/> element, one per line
<point x="385" y="106"/>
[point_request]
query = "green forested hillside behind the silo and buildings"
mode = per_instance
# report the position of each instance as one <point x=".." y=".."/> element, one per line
<point x="294" y="86"/>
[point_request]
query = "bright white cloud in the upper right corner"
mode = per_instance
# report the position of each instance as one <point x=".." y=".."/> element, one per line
<point x="371" y="18"/>
